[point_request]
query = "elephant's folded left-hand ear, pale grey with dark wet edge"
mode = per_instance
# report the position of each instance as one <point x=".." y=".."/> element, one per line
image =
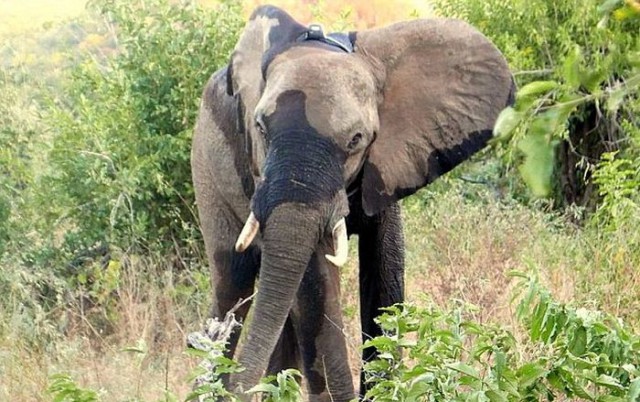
<point x="269" y="32"/>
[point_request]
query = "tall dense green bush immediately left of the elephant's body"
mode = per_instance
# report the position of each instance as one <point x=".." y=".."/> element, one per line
<point x="122" y="130"/>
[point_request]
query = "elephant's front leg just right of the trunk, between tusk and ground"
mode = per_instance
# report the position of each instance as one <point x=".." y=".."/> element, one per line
<point x="318" y="319"/>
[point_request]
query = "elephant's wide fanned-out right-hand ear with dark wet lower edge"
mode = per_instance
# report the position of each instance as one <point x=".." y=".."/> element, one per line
<point x="443" y="86"/>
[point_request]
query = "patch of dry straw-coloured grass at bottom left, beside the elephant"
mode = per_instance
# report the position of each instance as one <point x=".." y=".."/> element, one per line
<point x="145" y="314"/>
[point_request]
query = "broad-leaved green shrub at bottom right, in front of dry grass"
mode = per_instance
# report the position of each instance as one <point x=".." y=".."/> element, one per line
<point x="430" y="355"/>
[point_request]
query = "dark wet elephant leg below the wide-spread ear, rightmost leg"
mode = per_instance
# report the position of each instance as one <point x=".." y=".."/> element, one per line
<point x="381" y="251"/>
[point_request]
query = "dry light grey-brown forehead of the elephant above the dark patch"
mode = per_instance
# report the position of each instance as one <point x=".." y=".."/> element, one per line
<point x="339" y="91"/>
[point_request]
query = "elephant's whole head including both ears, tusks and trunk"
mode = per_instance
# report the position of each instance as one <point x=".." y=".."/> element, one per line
<point x="409" y="103"/>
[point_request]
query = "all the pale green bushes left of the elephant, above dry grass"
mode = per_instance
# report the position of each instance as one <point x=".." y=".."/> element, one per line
<point x="94" y="155"/>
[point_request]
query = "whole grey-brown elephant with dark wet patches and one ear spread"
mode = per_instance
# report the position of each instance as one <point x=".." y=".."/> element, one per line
<point x="304" y="139"/>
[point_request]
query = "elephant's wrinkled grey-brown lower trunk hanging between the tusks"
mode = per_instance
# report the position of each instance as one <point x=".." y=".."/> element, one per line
<point x="290" y="236"/>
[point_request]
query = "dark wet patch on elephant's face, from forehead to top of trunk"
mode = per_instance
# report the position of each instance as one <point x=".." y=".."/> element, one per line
<point x="302" y="166"/>
